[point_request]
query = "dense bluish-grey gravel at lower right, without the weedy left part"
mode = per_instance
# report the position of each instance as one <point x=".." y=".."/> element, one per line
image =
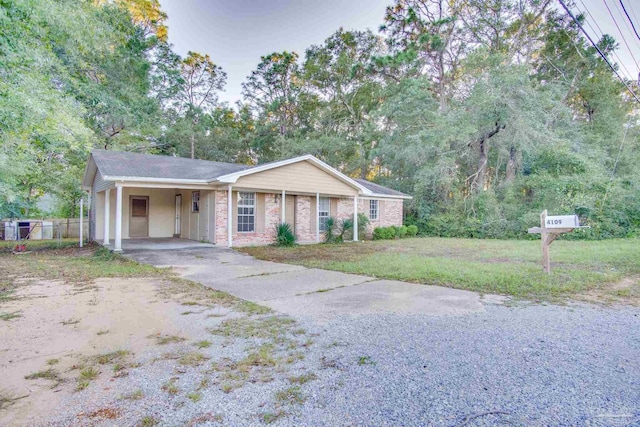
<point x="536" y="365"/>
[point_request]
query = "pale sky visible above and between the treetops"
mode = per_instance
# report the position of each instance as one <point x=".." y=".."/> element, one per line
<point x="236" y="33"/>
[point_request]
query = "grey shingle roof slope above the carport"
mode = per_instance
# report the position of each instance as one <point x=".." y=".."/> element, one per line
<point x="126" y="164"/>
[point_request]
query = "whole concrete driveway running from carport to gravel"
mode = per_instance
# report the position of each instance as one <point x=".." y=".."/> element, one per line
<point x="308" y="292"/>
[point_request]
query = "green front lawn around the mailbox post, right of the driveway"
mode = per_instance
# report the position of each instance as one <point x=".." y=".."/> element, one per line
<point x="508" y="267"/>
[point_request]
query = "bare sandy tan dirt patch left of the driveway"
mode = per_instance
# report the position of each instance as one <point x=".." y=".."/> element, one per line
<point x="60" y="325"/>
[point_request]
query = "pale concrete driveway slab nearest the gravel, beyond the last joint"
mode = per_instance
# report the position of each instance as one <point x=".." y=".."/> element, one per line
<point x="379" y="296"/>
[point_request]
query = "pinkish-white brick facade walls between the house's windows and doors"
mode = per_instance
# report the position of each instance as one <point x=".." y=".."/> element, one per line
<point x="390" y="213"/>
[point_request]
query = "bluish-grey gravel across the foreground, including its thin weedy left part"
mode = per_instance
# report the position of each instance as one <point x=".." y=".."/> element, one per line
<point x="518" y="366"/>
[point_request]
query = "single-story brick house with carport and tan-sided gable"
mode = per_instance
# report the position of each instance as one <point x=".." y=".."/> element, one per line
<point x="142" y="195"/>
